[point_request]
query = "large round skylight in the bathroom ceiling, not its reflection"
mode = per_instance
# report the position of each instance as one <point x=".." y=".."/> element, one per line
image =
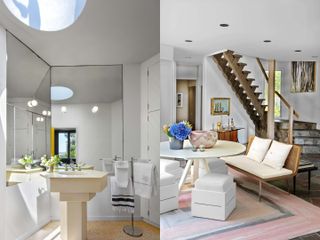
<point x="46" y="15"/>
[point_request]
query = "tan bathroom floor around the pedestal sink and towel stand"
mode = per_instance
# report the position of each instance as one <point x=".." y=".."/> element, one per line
<point x="100" y="230"/>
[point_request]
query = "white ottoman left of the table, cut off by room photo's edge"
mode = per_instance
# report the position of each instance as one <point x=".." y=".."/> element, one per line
<point x="170" y="173"/>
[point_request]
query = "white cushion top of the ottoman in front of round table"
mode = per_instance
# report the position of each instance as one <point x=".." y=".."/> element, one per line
<point x="214" y="182"/>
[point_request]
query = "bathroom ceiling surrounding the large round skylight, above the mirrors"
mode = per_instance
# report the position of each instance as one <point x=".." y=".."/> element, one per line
<point x="107" y="32"/>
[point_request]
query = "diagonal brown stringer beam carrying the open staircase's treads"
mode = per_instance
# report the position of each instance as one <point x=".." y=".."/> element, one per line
<point x="243" y="80"/>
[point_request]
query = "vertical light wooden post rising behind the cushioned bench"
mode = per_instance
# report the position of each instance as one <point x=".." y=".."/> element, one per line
<point x="271" y="92"/>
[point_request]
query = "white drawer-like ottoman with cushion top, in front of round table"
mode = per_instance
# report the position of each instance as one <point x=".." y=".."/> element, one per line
<point x="214" y="196"/>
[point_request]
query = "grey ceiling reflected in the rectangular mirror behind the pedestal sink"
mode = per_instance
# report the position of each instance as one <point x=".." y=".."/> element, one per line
<point x="94" y="84"/>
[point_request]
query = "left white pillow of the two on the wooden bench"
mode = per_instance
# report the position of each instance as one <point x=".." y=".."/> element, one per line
<point x="259" y="148"/>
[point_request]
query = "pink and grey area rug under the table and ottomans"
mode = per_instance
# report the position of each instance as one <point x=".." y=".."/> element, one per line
<point x="278" y="216"/>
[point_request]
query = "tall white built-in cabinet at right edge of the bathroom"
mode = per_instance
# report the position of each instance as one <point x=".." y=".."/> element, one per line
<point x="150" y="129"/>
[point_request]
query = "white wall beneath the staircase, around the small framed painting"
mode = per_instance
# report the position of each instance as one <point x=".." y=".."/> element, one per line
<point x="215" y="85"/>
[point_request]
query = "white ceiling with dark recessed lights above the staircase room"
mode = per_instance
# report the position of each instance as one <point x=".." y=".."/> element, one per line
<point x="290" y="24"/>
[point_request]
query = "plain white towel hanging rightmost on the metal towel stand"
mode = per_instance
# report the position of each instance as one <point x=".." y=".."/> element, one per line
<point x="145" y="179"/>
